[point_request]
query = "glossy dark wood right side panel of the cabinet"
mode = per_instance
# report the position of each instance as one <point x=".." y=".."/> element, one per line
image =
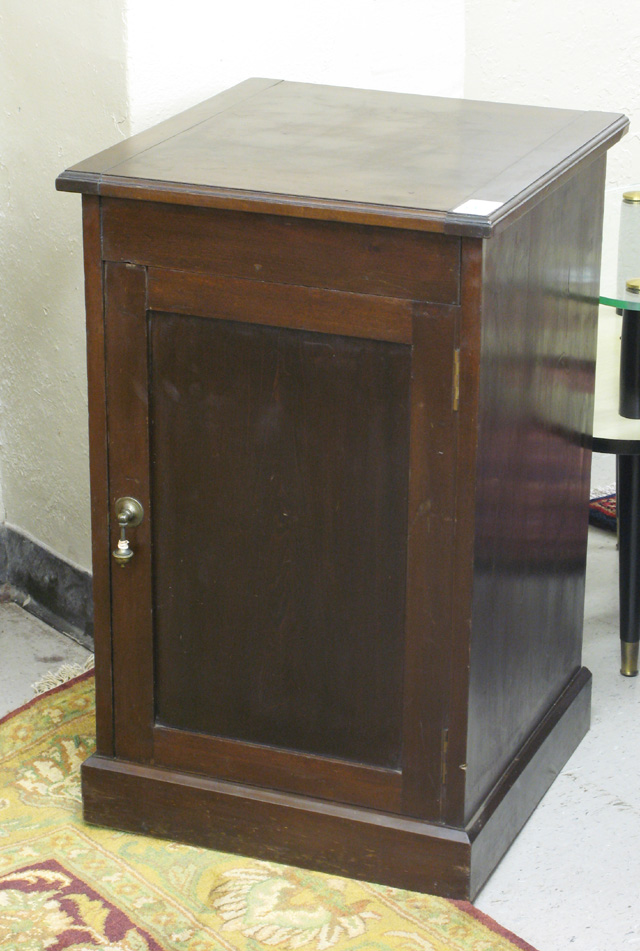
<point x="539" y="323"/>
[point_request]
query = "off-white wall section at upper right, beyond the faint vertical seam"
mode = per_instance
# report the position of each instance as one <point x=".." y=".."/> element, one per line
<point x="564" y="53"/>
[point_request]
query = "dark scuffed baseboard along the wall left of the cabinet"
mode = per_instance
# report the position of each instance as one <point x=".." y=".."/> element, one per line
<point x="46" y="585"/>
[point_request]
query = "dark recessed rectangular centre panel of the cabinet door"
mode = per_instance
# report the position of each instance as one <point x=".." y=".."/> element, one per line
<point x="279" y="463"/>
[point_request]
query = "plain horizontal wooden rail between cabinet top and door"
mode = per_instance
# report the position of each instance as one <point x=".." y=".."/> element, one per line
<point x="385" y="262"/>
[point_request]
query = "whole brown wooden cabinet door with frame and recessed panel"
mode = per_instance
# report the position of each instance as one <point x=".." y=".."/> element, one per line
<point x="261" y="631"/>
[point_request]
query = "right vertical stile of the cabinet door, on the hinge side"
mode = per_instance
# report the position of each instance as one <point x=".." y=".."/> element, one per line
<point x="431" y="586"/>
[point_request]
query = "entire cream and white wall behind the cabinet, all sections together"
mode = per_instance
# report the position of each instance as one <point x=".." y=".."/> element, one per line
<point x="75" y="80"/>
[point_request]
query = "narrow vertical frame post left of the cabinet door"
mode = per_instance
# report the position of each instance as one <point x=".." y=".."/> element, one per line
<point x="94" y="302"/>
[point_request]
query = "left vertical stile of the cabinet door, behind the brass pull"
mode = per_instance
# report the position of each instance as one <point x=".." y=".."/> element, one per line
<point x="128" y="416"/>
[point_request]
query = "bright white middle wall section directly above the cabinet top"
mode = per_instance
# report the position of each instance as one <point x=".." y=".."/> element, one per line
<point x="397" y="45"/>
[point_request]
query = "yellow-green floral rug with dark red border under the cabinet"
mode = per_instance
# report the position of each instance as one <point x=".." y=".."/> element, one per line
<point x="64" y="884"/>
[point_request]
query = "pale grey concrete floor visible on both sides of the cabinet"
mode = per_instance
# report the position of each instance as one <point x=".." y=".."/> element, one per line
<point x="570" y="880"/>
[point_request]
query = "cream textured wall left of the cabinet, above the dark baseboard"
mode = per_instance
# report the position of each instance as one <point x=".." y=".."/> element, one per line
<point x="62" y="78"/>
